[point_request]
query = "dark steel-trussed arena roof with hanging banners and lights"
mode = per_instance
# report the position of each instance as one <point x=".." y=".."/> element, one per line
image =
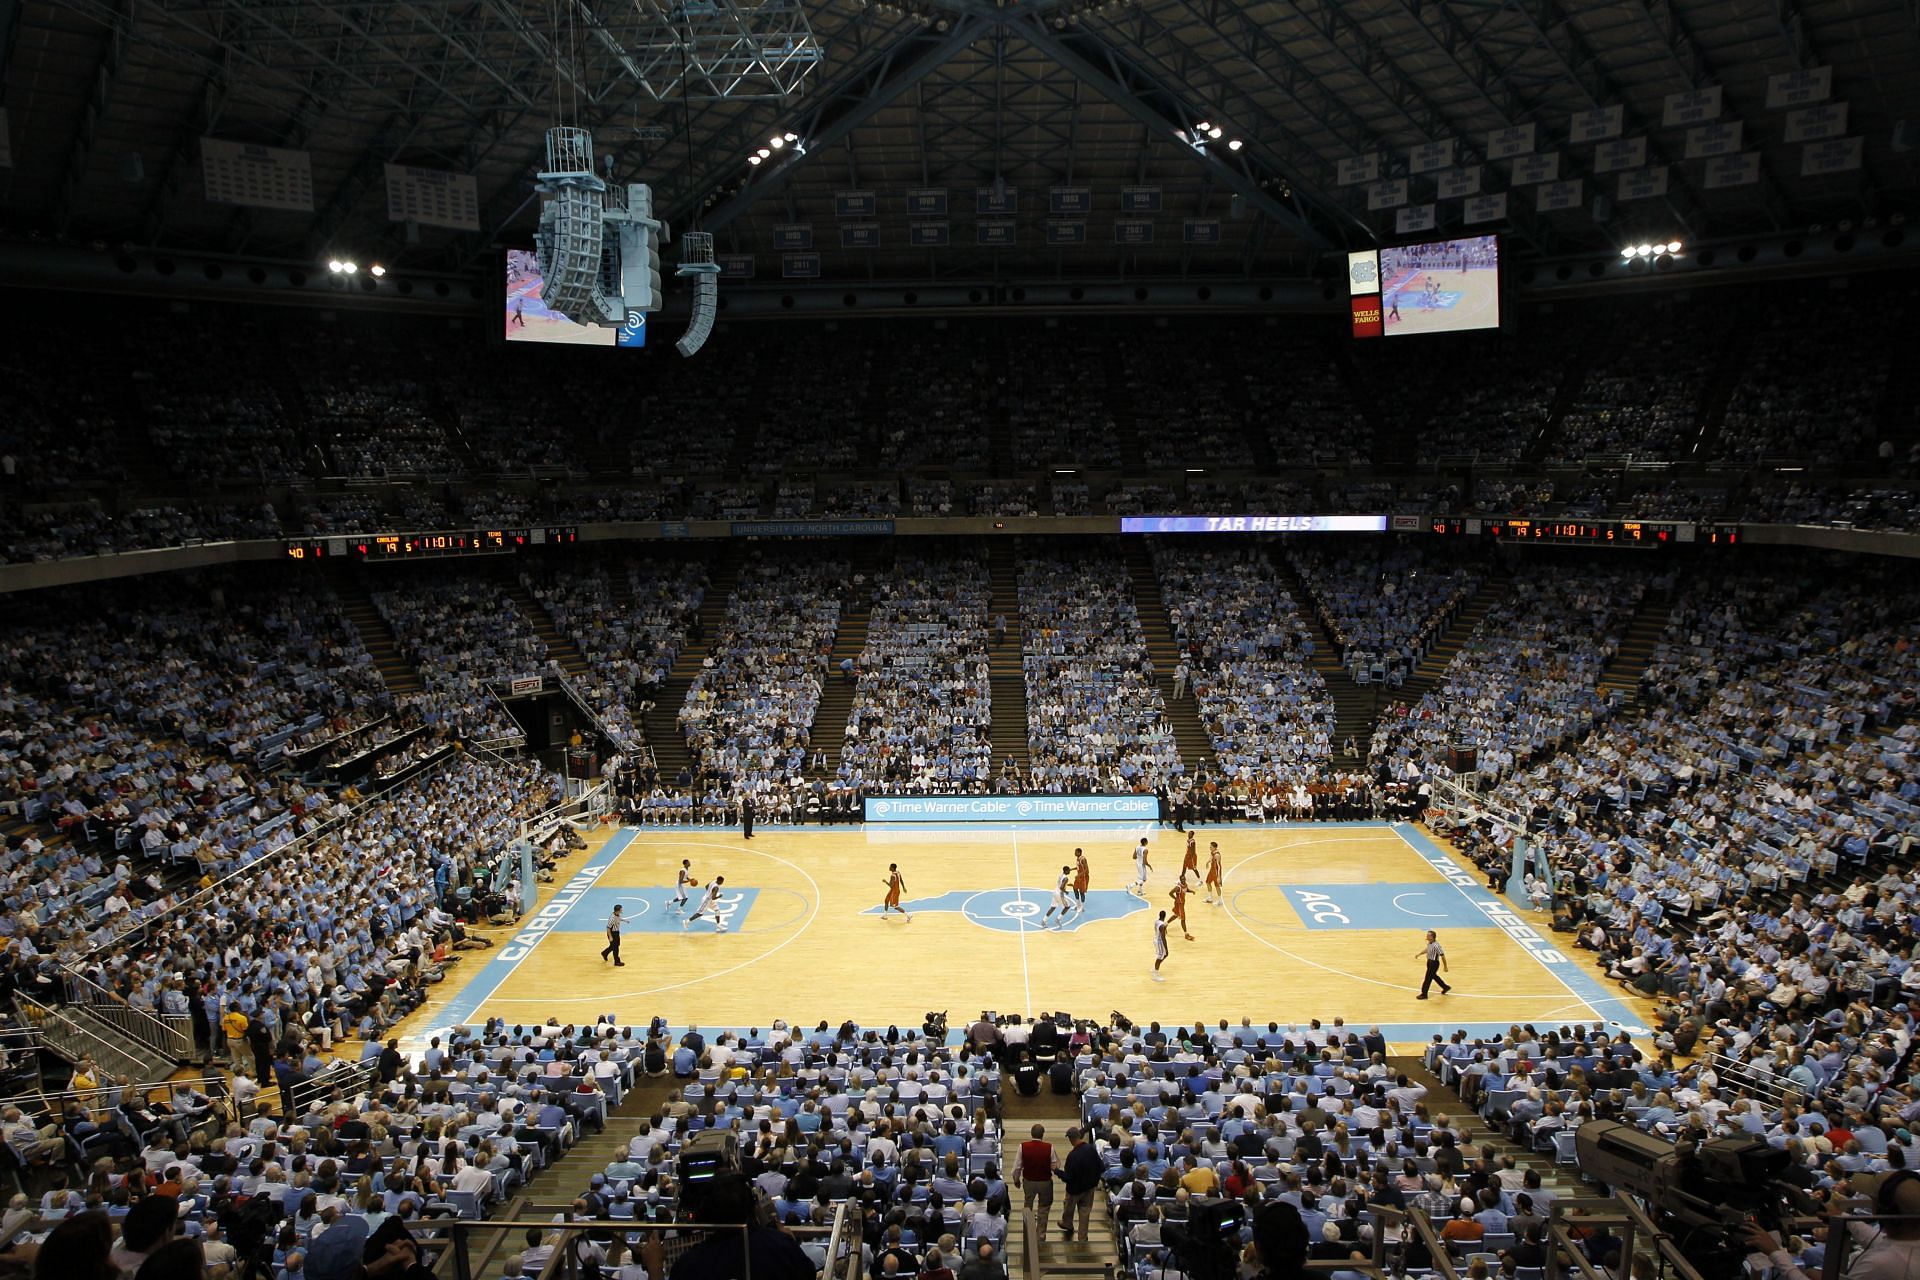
<point x="1253" y="139"/>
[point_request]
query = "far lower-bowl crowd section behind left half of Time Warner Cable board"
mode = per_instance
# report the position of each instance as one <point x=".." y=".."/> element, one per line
<point x="923" y="709"/>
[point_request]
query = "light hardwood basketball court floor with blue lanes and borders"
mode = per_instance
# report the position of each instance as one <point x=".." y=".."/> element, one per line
<point x="1320" y="922"/>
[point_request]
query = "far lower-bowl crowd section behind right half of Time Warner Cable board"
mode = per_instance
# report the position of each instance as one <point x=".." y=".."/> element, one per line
<point x="1095" y="717"/>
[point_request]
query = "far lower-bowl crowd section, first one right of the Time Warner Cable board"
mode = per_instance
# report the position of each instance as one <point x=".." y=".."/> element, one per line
<point x="1247" y="650"/>
